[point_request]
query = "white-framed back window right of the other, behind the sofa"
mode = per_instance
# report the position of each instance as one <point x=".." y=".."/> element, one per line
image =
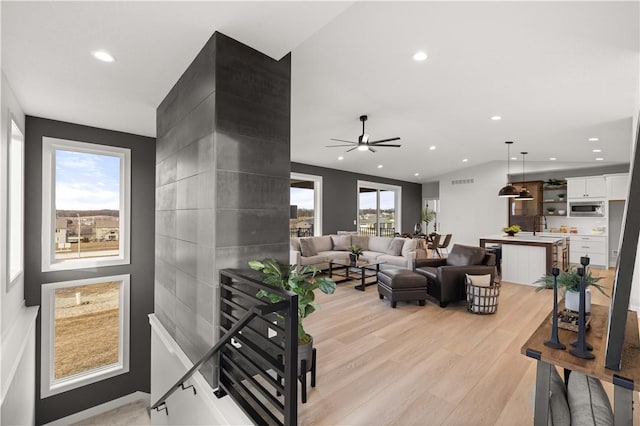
<point x="378" y="209"/>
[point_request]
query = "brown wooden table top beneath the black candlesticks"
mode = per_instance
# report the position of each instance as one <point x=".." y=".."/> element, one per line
<point x="597" y="337"/>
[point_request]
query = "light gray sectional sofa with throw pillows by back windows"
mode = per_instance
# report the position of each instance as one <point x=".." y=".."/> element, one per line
<point x="318" y="251"/>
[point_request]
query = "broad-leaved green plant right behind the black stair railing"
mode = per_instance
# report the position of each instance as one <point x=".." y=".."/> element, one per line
<point x="303" y="282"/>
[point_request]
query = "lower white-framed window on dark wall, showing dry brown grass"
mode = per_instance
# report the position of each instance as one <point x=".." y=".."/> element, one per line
<point x="85" y="332"/>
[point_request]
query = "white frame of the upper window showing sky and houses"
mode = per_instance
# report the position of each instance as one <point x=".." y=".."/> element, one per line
<point x="49" y="147"/>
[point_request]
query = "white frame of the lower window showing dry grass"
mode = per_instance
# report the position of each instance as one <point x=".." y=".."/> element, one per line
<point x="49" y="385"/>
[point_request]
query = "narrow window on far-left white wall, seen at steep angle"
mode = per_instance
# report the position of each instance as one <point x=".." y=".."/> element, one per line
<point x="15" y="209"/>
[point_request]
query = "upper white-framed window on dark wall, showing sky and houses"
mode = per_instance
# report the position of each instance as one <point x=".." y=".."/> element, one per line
<point x="86" y="203"/>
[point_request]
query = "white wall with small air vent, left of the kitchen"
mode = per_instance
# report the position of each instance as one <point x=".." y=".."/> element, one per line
<point x="471" y="210"/>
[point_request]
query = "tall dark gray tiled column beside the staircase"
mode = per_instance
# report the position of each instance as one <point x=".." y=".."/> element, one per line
<point x="222" y="182"/>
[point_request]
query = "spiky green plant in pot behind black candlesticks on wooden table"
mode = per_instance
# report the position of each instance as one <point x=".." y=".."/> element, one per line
<point x="569" y="285"/>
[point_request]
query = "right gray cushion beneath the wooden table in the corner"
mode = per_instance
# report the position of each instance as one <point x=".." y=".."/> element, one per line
<point x="588" y="401"/>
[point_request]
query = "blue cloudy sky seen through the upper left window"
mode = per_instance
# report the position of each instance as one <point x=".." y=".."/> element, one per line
<point x="87" y="181"/>
